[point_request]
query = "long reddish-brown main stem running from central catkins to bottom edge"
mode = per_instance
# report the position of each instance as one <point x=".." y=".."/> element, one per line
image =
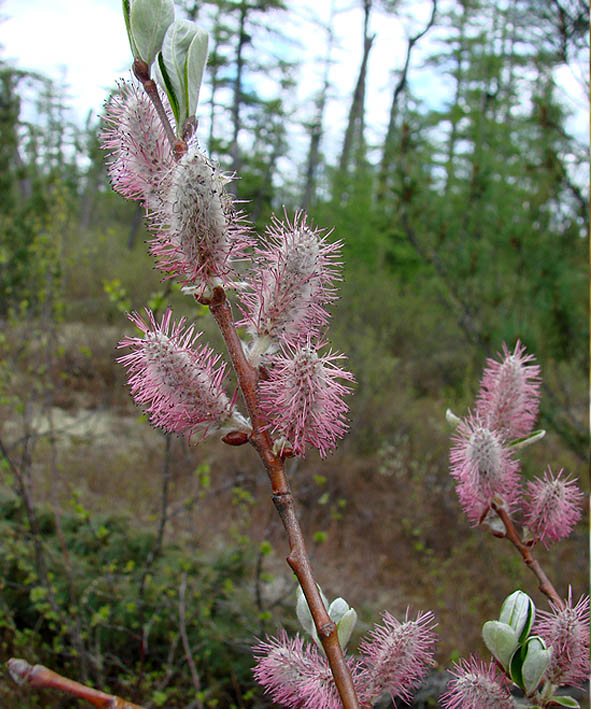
<point x="298" y="558"/>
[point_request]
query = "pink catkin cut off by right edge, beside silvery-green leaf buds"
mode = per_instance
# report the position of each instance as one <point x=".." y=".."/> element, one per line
<point x="567" y="631"/>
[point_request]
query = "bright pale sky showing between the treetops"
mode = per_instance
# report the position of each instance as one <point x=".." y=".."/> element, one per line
<point x="83" y="44"/>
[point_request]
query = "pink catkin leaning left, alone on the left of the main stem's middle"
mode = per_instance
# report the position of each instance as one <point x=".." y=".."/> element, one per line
<point x="178" y="383"/>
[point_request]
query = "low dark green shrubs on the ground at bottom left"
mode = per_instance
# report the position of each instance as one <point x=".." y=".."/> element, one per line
<point x="98" y="583"/>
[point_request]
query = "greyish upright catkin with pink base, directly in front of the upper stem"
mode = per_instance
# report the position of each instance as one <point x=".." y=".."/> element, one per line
<point x="199" y="233"/>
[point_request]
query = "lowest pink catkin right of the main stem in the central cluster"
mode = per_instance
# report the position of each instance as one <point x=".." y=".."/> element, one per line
<point x="303" y="398"/>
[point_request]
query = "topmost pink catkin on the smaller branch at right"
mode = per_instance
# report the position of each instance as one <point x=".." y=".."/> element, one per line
<point x="509" y="396"/>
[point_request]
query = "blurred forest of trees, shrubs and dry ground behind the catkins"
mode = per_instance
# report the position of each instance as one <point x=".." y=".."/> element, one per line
<point x="134" y="562"/>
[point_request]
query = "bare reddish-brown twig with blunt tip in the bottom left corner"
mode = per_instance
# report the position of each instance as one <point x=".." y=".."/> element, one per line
<point x="40" y="677"/>
